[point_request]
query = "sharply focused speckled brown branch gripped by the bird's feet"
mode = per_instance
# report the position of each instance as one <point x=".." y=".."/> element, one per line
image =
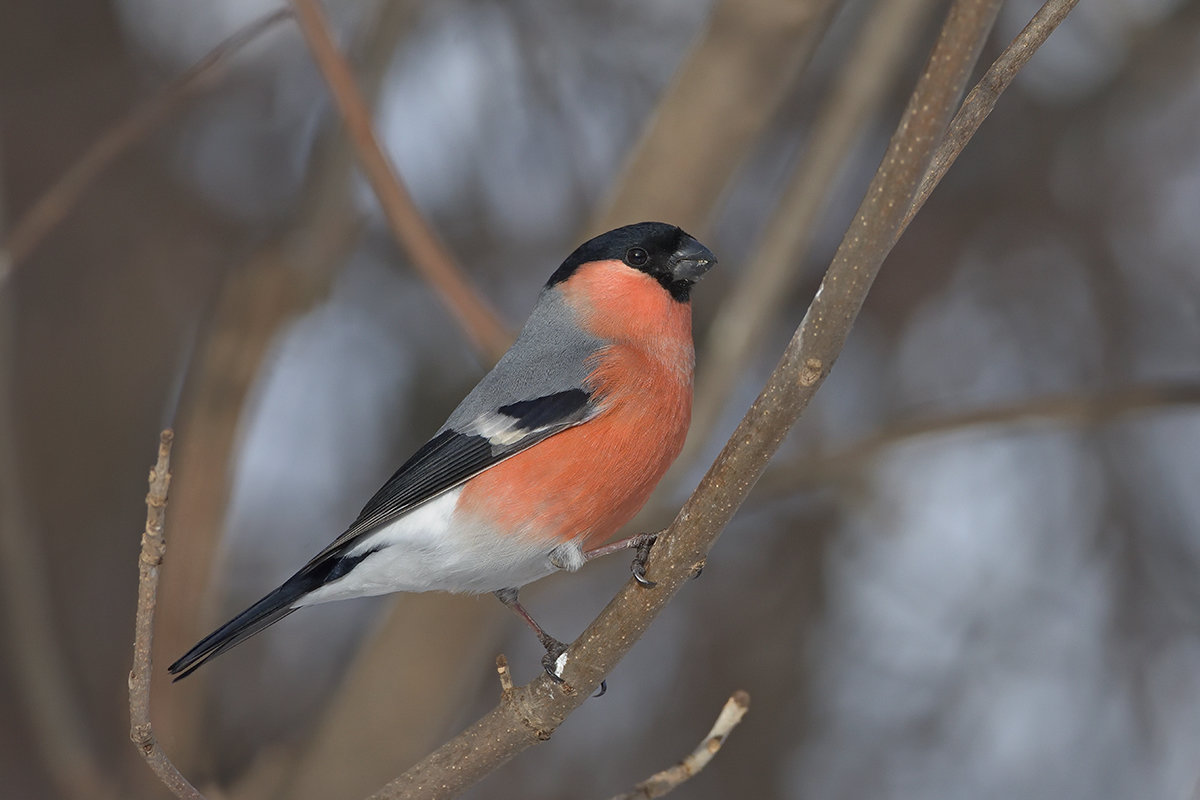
<point x="535" y="712"/>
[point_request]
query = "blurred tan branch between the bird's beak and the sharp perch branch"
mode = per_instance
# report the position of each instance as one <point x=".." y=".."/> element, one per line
<point x="757" y="302"/>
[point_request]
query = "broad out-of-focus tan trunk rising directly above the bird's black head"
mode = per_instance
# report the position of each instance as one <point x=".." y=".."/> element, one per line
<point x="727" y="91"/>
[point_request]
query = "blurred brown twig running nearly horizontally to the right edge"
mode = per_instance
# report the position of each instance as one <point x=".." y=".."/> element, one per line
<point x="1067" y="408"/>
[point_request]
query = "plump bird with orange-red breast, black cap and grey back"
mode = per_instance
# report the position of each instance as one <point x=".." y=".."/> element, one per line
<point x="557" y="448"/>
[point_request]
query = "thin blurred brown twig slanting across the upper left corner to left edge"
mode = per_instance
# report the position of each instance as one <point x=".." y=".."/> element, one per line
<point x="58" y="201"/>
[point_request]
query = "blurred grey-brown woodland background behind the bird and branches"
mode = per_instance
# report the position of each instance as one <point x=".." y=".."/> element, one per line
<point x="973" y="572"/>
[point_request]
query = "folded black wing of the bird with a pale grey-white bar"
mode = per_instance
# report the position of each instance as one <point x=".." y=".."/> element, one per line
<point x="454" y="458"/>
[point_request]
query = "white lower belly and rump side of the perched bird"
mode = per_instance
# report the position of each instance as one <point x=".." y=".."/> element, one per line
<point x="431" y="549"/>
